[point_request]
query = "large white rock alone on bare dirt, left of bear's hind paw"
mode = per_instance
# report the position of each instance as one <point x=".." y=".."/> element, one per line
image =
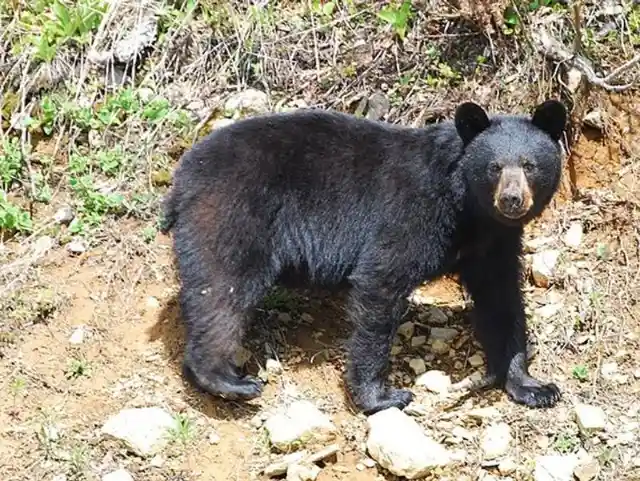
<point x="143" y="430"/>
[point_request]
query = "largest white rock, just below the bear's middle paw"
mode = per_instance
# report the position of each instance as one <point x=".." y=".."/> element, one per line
<point x="398" y="444"/>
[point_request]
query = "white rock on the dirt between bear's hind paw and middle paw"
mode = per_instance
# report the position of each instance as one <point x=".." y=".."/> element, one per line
<point x="299" y="424"/>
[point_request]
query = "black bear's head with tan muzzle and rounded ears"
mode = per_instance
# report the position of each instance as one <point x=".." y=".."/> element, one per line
<point x="511" y="164"/>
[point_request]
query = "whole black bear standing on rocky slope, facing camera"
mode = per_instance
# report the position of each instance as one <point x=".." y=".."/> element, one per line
<point x="381" y="207"/>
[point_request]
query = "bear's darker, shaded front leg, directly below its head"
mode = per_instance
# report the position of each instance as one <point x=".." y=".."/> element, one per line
<point x="494" y="281"/>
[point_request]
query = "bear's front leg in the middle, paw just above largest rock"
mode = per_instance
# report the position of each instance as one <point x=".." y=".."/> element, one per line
<point x="375" y="313"/>
